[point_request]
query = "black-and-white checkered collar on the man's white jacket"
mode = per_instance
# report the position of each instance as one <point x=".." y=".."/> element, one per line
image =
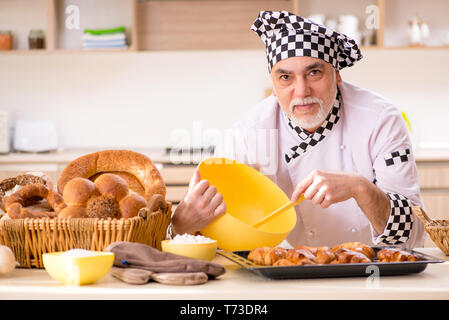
<point x="309" y="140"/>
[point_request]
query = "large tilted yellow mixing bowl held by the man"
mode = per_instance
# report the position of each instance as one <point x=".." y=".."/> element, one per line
<point x="249" y="196"/>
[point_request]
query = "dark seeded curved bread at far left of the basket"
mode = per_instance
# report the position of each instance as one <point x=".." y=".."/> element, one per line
<point x="23" y="180"/>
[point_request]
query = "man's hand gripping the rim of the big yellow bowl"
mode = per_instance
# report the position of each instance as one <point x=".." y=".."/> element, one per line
<point x="200" y="207"/>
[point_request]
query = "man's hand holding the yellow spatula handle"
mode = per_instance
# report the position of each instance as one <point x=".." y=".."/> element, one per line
<point x="325" y="188"/>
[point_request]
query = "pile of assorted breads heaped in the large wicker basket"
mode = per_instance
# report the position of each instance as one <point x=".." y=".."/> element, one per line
<point x="104" y="184"/>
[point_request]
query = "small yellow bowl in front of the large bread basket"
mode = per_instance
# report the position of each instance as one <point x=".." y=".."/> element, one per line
<point x="75" y="270"/>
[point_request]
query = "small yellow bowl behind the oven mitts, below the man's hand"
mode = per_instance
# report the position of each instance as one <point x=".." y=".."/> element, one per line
<point x="203" y="251"/>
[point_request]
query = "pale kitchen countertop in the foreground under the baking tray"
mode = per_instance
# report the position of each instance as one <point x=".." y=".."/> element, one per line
<point x="238" y="284"/>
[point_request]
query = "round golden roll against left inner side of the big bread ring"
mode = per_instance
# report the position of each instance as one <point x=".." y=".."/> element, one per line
<point x="78" y="191"/>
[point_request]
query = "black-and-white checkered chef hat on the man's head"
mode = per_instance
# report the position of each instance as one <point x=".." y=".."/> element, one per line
<point x="287" y="35"/>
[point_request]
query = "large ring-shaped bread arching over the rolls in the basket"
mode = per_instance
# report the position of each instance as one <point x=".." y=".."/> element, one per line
<point x="136" y="166"/>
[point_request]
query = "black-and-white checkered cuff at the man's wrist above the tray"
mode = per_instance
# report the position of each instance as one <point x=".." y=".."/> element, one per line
<point x="399" y="223"/>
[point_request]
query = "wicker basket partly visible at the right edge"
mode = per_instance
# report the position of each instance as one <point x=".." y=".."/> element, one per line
<point x="438" y="230"/>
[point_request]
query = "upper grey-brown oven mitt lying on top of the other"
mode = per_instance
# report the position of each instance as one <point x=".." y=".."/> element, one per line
<point x="142" y="256"/>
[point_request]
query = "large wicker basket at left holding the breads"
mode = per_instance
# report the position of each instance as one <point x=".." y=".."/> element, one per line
<point x="30" y="238"/>
